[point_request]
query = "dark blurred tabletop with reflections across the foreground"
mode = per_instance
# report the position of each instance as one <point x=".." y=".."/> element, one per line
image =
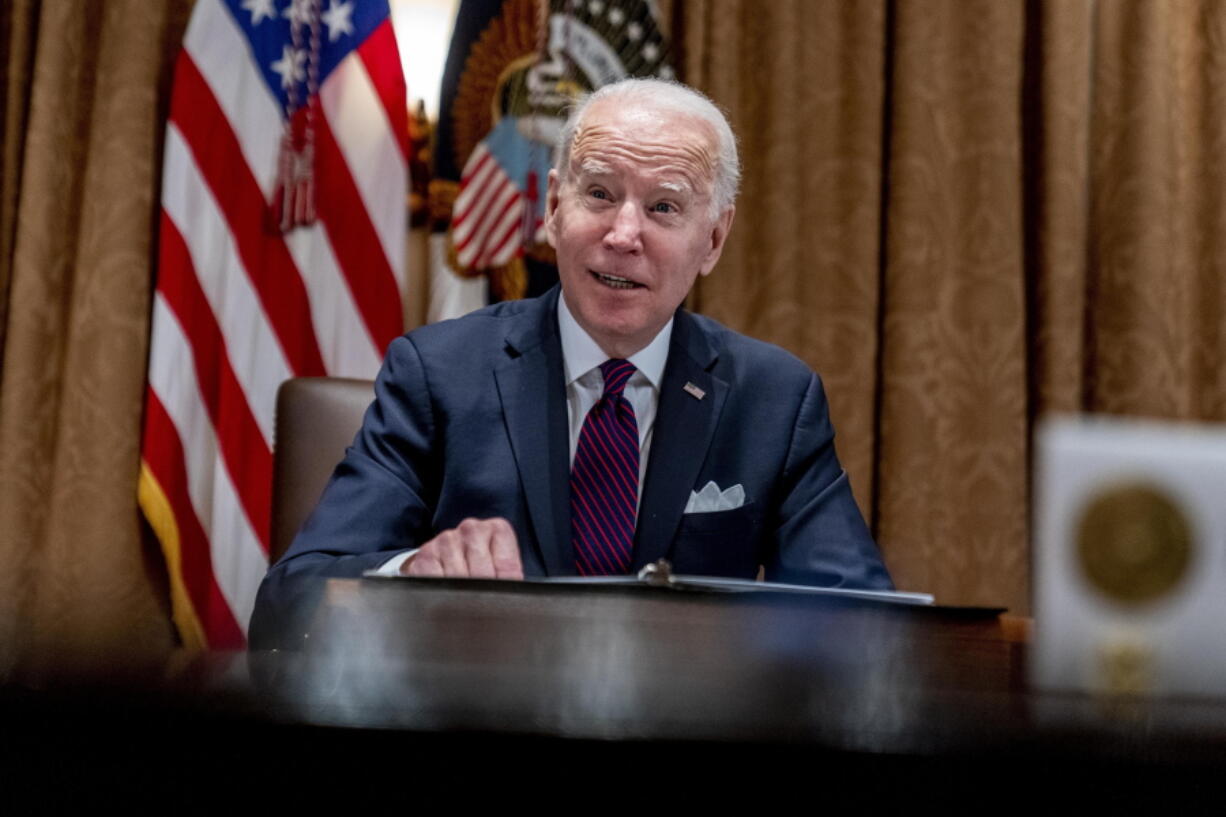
<point x="476" y="691"/>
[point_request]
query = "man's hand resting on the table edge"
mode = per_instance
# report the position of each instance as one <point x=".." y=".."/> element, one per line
<point x="476" y="549"/>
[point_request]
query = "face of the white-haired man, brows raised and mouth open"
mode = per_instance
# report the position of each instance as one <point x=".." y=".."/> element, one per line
<point x="632" y="223"/>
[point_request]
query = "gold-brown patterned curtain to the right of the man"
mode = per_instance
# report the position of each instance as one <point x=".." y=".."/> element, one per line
<point x="967" y="214"/>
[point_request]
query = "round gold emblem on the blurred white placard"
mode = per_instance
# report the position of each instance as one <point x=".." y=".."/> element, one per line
<point x="1133" y="544"/>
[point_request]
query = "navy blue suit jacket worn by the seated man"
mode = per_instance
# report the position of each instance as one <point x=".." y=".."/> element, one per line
<point x="470" y="420"/>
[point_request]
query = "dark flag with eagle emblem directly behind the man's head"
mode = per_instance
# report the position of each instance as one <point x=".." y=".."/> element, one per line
<point x="513" y="71"/>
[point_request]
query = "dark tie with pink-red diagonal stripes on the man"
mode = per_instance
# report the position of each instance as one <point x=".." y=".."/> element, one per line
<point x="605" y="480"/>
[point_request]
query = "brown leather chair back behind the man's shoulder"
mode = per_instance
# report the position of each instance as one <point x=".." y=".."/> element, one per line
<point x="317" y="420"/>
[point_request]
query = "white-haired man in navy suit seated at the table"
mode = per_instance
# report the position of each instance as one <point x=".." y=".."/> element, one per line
<point x="600" y="428"/>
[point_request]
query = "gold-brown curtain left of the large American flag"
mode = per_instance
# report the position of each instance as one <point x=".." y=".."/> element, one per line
<point x="85" y="91"/>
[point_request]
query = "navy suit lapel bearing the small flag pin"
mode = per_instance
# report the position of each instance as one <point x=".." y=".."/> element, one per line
<point x="685" y="429"/>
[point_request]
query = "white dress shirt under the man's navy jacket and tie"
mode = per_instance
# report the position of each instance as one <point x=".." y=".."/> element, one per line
<point x="585" y="385"/>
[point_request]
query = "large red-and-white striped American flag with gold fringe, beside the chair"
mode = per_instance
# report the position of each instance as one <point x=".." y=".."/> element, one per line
<point x="281" y="256"/>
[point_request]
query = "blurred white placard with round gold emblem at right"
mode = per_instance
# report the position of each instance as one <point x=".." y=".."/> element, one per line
<point x="1122" y="635"/>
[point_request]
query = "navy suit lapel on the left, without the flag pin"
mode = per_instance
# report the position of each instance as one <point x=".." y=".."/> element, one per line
<point x="533" y="374"/>
